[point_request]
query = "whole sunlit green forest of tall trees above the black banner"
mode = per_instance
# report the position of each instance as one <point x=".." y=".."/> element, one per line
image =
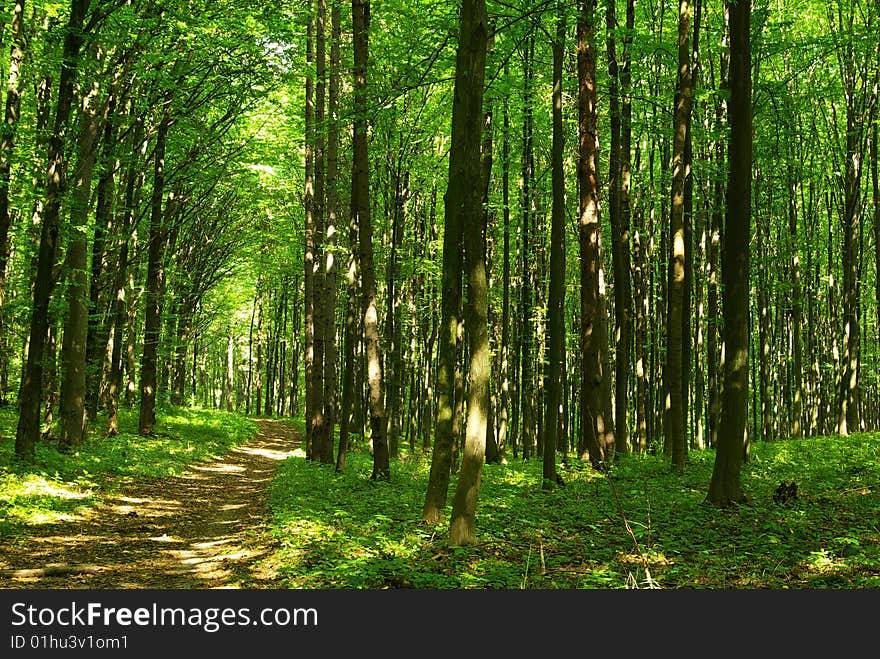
<point x="519" y="293"/>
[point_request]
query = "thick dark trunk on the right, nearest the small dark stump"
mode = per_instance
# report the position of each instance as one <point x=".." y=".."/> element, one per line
<point x="725" y="487"/>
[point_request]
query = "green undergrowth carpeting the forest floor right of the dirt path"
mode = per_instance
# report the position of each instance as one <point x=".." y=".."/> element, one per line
<point x="639" y="526"/>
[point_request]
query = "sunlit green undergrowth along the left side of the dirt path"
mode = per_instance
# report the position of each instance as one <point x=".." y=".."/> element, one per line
<point x="58" y="486"/>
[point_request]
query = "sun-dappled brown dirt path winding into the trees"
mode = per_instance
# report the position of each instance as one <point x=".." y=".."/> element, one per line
<point x="203" y="529"/>
